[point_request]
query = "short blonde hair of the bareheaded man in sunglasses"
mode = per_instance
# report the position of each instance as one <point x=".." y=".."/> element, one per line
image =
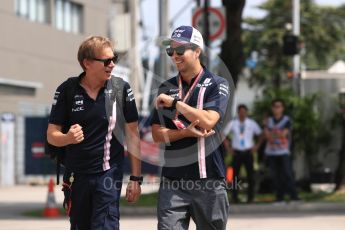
<point x="90" y="46"/>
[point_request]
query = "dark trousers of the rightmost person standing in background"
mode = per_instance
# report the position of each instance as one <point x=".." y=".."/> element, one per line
<point x="282" y="175"/>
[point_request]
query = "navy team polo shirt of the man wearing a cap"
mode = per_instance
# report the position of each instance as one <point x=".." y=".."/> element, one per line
<point x="181" y="157"/>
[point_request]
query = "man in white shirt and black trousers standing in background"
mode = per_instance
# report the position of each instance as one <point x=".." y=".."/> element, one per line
<point x="240" y="142"/>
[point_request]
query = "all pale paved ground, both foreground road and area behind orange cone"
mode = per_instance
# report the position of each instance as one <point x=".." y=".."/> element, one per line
<point x="15" y="200"/>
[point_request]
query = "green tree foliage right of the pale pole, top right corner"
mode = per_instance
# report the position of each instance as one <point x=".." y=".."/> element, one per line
<point x="322" y="35"/>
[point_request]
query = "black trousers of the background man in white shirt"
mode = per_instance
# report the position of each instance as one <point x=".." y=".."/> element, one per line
<point x="246" y="158"/>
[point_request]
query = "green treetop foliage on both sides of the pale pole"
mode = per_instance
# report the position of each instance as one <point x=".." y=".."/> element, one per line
<point x="322" y="39"/>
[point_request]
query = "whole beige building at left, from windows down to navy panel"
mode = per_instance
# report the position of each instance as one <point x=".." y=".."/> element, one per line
<point x="38" y="50"/>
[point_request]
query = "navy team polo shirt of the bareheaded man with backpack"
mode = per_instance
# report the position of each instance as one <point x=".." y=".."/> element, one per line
<point x="100" y="150"/>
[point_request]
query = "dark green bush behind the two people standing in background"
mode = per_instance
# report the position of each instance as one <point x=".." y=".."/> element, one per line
<point x="309" y="132"/>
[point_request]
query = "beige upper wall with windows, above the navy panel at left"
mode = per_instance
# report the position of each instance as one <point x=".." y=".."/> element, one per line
<point x="38" y="47"/>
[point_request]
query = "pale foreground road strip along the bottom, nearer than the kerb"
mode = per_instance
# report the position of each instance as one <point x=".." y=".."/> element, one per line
<point x="262" y="222"/>
